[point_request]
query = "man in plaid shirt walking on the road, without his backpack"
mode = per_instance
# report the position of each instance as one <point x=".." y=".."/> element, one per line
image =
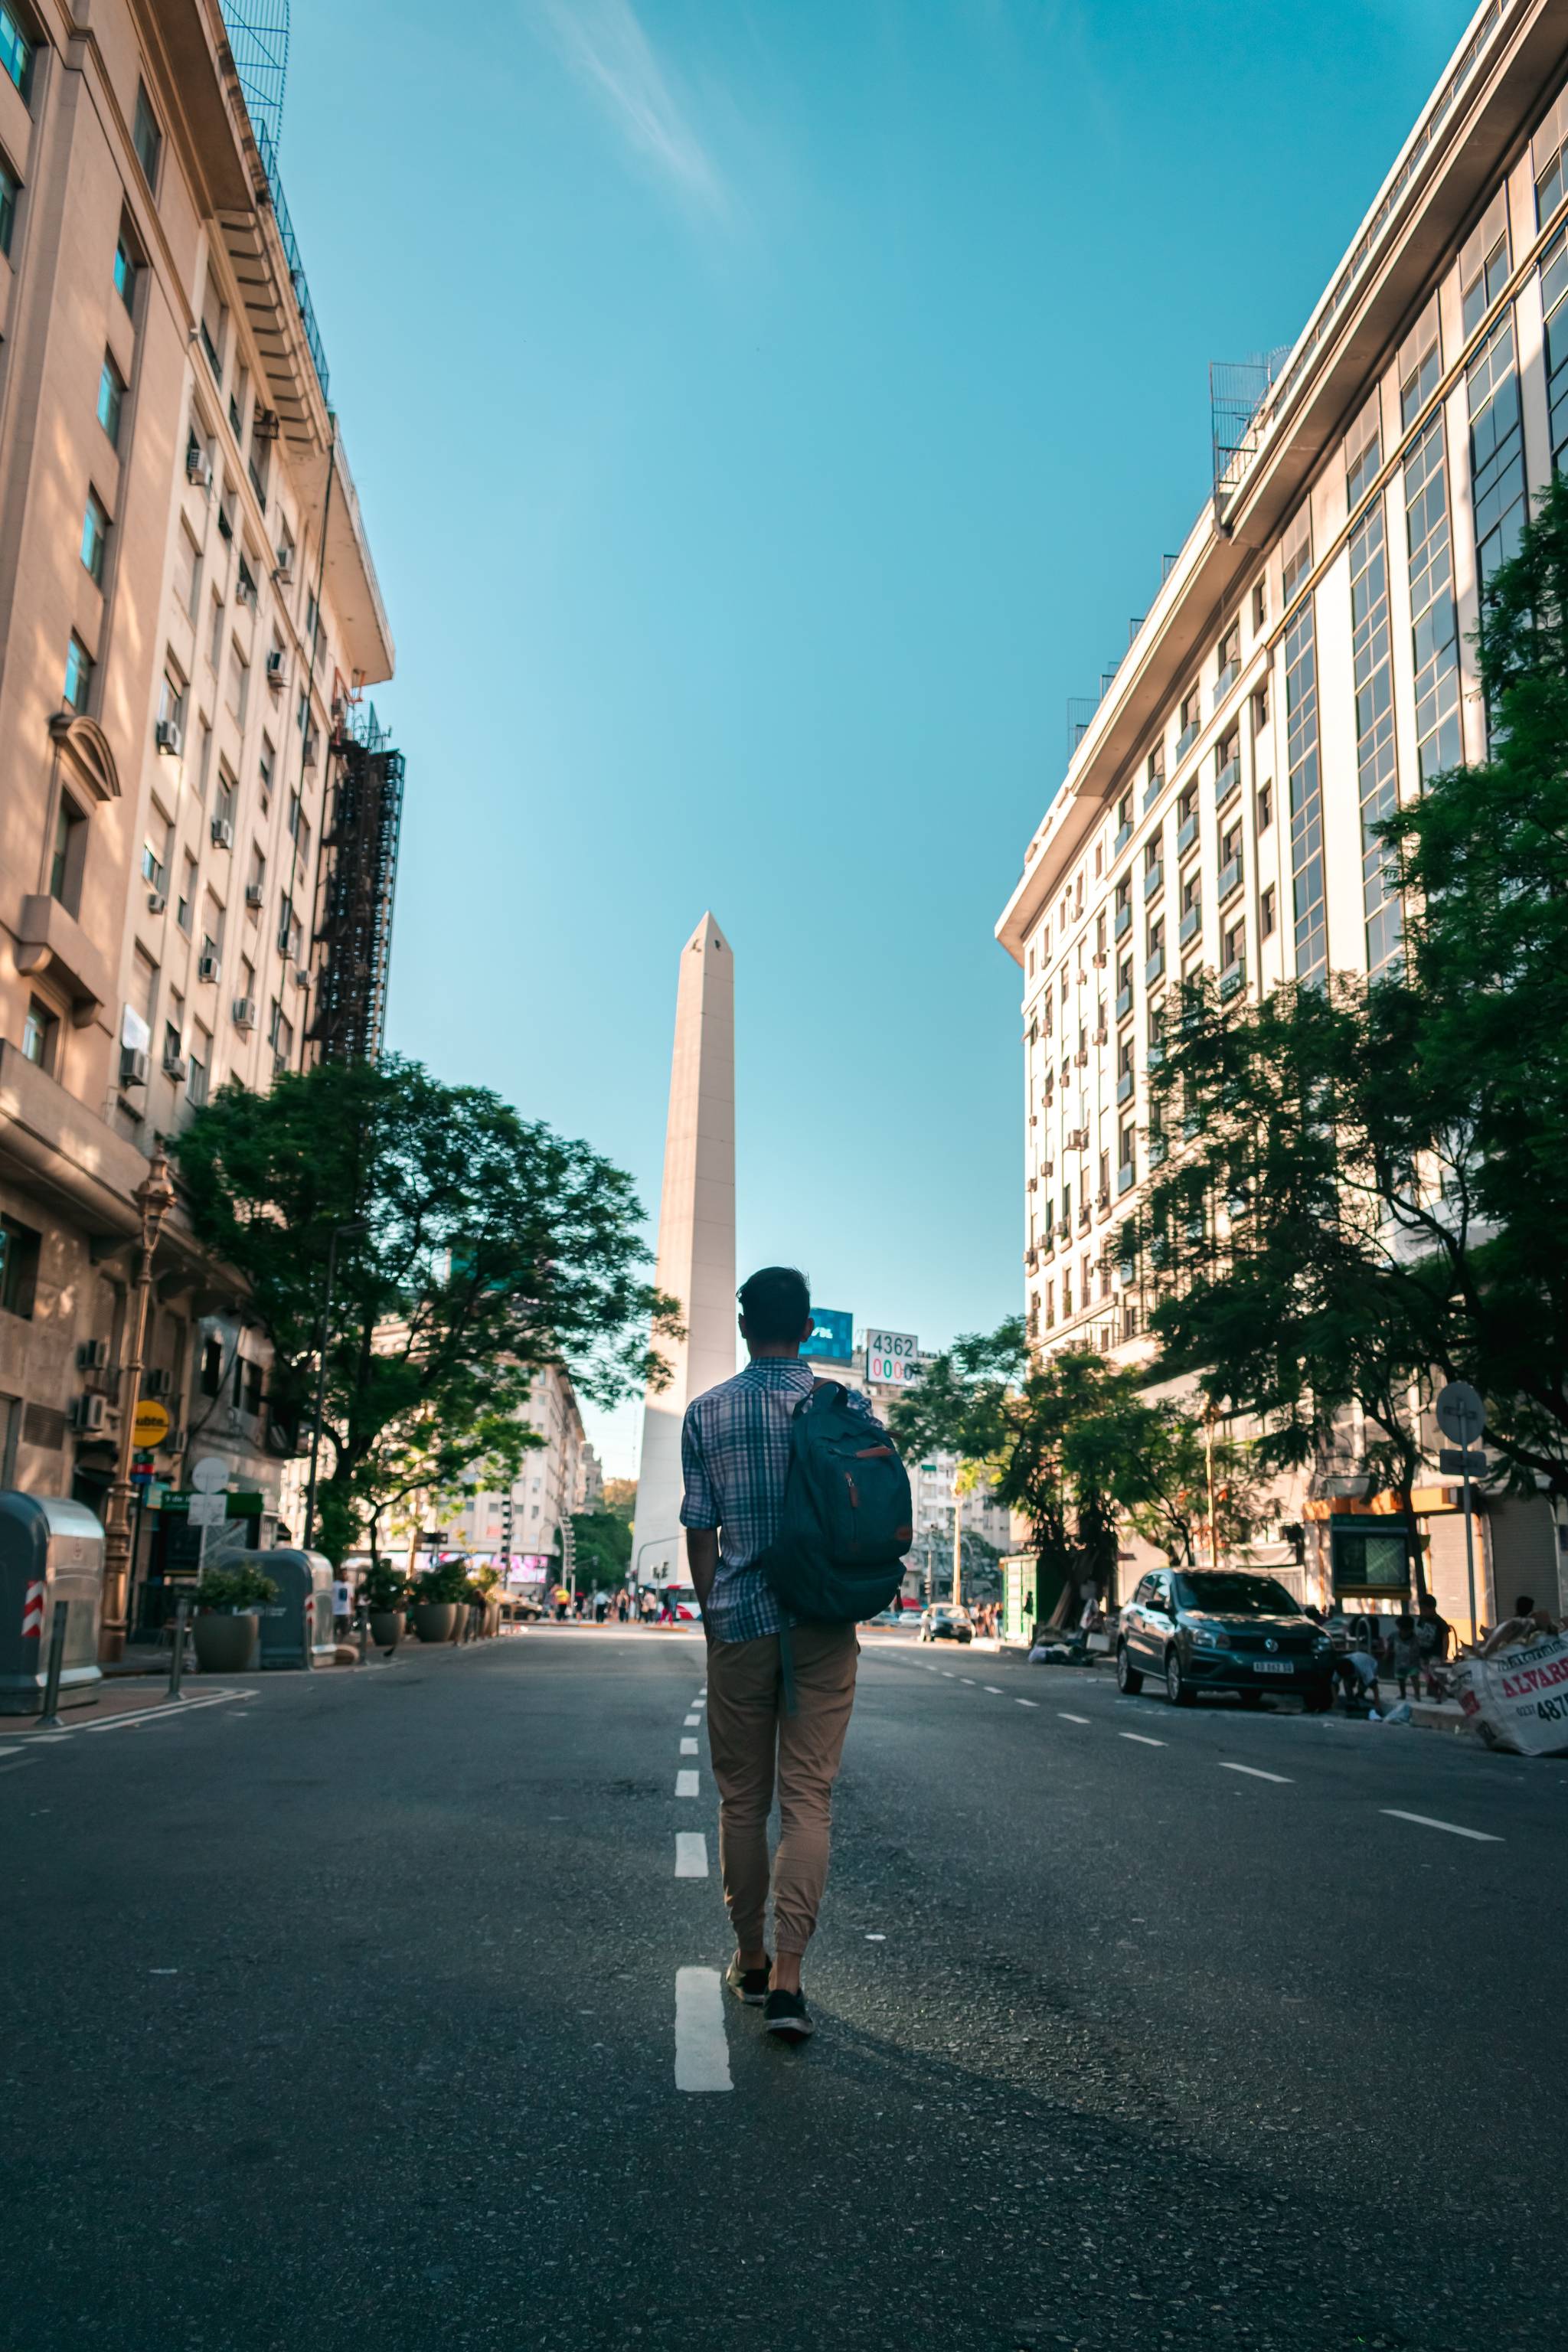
<point x="737" y="1459"/>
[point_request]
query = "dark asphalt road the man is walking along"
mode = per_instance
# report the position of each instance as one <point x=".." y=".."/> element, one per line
<point x="344" y="2014"/>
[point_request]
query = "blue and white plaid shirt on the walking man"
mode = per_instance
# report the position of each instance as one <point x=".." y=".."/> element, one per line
<point x="737" y="1459"/>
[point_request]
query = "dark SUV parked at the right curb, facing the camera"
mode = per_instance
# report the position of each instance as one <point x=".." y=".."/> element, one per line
<point x="1221" y="1631"/>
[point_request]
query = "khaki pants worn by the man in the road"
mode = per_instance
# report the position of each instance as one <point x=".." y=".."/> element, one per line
<point x="753" y="1746"/>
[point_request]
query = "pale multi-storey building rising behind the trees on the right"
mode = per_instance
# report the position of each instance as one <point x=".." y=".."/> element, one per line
<point x="1308" y="660"/>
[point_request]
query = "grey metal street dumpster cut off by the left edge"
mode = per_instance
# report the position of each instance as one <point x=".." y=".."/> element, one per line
<point x="51" y="1551"/>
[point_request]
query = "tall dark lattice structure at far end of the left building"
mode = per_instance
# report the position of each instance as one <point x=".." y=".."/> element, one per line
<point x="359" y="881"/>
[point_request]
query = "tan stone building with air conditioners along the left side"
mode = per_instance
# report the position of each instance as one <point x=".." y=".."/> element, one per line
<point x="189" y="617"/>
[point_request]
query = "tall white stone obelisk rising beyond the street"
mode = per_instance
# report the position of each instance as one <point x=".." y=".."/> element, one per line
<point x="697" y="1241"/>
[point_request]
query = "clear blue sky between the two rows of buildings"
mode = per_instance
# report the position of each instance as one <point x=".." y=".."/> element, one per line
<point x="765" y="417"/>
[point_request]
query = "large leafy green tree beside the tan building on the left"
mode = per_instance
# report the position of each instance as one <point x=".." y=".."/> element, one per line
<point x="474" y="1250"/>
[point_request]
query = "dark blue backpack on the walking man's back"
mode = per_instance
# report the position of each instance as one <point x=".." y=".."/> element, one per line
<point x="847" y="1514"/>
